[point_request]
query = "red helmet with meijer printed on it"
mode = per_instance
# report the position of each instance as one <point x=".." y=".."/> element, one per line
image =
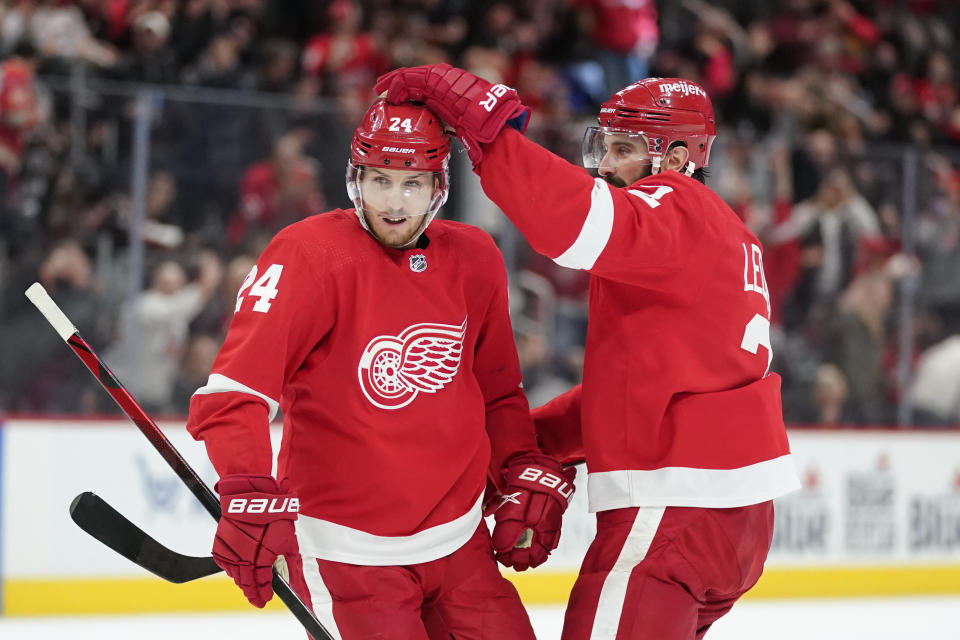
<point x="663" y="111"/>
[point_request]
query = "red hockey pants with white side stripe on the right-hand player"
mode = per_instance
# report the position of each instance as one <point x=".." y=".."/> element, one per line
<point x="659" y="573"/>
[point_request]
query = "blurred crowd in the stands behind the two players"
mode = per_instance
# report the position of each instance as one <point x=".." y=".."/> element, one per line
<point x="839" y="144"/>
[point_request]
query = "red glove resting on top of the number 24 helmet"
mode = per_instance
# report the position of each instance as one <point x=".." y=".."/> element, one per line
<point x="475" y="108"/>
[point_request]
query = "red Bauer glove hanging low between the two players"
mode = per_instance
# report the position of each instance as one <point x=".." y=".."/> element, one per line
<point x="538" y="491"/>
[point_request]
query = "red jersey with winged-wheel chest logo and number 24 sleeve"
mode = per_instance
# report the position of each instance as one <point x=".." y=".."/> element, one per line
<point x="395" y="370"/>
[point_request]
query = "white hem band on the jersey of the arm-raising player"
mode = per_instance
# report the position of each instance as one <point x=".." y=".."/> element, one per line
<point x="690" y="487"/>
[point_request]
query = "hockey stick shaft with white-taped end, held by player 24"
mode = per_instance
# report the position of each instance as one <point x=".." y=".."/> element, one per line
<point x="59" y="321"/>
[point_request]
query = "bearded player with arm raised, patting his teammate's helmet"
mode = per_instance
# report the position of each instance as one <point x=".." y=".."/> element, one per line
<point x="678" y="416"/>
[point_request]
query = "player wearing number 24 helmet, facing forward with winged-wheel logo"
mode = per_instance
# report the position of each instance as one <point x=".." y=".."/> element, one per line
<point x="390" y="353"/>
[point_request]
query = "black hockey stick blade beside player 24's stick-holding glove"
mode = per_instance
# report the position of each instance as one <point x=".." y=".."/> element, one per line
<point x="104" y="523"/>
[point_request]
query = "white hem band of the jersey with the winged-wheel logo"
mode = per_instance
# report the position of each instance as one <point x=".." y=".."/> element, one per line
<point x="330" y="541"/>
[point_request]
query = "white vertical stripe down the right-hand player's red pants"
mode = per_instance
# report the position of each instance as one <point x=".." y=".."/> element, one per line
<point x="613" y="593"/>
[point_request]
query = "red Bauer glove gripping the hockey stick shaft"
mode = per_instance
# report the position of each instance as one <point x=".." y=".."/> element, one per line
<point x="256" y="526"/>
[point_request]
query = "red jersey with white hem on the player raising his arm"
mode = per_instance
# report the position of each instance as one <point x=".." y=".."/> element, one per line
<point x="677" y="405"/>
